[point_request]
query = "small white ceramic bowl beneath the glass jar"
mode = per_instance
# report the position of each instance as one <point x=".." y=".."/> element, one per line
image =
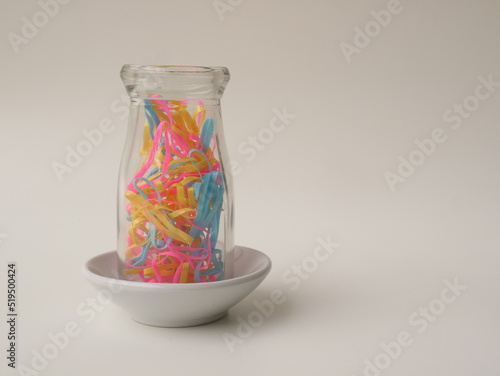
<point x="179" y="304"/>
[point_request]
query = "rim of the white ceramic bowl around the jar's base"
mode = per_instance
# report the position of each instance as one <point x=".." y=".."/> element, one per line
<point x="262" y="271"/>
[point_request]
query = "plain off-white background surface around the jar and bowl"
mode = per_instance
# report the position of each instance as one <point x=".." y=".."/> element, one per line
<point x="322" y="176"/>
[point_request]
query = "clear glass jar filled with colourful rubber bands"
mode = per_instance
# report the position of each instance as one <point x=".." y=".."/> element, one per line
<point x="175" y="191"/>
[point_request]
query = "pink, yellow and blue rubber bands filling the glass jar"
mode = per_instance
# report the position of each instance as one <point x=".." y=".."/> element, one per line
<point x="174" y="201"/>
